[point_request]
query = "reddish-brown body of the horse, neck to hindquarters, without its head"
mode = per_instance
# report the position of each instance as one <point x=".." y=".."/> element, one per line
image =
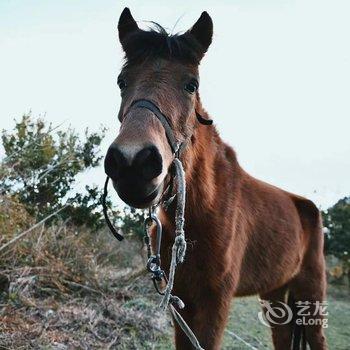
<point x="244" y="237"/>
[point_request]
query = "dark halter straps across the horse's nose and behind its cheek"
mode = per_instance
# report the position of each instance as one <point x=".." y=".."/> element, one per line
<point x="175" y="146"/>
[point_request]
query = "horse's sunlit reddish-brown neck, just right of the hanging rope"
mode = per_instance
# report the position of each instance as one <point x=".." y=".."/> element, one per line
<point x="208" y="163"/>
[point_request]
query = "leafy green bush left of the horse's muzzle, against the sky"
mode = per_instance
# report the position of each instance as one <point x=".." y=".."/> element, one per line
<point x="41" y="165"/>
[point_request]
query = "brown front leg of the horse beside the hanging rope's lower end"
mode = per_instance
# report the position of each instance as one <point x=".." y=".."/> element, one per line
<point x="207" y="318"/>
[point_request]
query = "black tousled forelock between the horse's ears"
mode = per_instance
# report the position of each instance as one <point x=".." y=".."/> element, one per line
<point x="156" y="42"/>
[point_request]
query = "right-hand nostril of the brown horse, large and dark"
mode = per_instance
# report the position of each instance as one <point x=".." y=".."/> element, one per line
<point x="148" y="162"/>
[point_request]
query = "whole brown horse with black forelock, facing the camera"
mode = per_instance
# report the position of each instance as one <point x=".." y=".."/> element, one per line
<point x="244" y="236"/>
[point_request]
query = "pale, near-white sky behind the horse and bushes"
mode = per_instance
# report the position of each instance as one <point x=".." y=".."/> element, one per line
<point x="276" y="79"/>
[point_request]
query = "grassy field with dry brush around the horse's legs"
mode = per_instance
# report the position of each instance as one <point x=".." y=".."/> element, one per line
<point x="71" y="290"/>
